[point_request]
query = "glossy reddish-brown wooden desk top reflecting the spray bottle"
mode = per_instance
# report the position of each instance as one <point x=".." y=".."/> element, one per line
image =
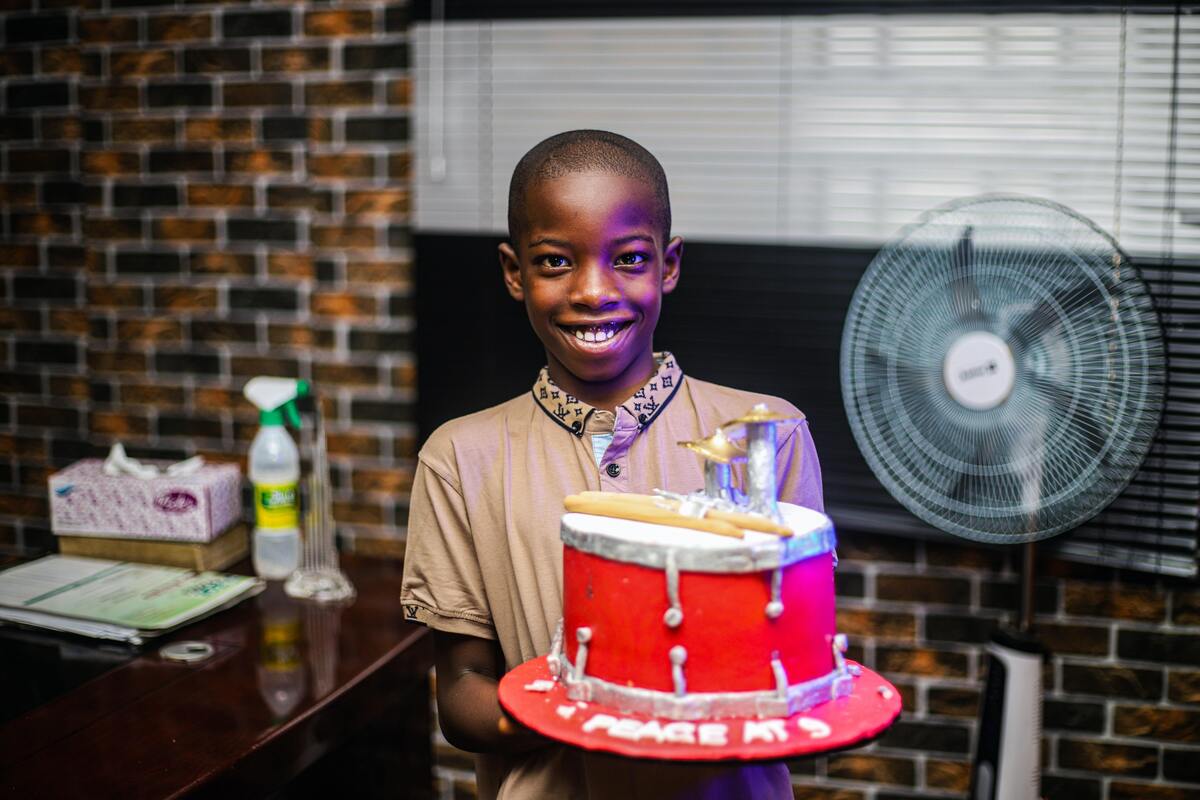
<point x="290" y="683"/>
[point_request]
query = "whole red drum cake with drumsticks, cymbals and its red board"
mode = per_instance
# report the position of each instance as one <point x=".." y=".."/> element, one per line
<point x="701" y="627"/>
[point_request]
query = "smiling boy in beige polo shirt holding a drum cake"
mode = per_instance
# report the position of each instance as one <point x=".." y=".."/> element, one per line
<point x="591" y="257"/>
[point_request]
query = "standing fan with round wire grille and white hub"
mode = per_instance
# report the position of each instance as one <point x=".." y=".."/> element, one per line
<point x="1004" y="372"/>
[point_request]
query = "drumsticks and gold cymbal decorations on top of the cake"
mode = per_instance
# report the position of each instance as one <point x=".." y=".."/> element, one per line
<point x="721" y="508"/>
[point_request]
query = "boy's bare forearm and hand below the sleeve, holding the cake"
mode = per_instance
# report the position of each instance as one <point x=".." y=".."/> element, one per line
<point x="469" y="706"/>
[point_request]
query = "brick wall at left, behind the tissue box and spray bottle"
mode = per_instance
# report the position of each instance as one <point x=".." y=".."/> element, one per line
<point x="196" y="194"/>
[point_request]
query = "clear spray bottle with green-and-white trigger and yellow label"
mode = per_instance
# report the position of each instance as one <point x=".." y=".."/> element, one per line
<point x="275" y="473"/>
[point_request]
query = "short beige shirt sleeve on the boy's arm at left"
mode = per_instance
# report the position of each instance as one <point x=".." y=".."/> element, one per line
<point x="443" y="586"/>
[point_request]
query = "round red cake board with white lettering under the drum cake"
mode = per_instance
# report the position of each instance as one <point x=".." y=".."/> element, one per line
<point x="837" y="725"/>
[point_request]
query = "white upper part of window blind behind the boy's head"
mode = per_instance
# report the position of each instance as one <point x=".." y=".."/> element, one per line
<point x="827" y="130"/>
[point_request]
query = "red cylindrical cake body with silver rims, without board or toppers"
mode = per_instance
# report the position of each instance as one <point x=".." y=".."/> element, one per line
<point x="687" y="625"/>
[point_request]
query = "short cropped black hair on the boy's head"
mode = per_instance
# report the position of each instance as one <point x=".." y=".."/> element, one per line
<point x="581" y="152"/>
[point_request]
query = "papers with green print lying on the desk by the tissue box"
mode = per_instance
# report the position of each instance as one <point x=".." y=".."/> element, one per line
<point x="117" y="600"/>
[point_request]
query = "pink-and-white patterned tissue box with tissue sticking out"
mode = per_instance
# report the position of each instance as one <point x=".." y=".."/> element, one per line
<point x="197" y="508"/>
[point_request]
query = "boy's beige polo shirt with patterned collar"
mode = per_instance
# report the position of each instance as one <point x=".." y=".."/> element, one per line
<point x="484" y="555"/>
